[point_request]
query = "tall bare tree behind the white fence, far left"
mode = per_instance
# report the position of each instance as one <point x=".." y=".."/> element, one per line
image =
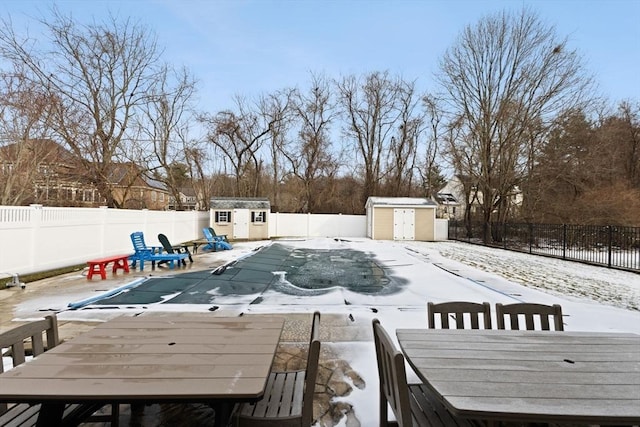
<point x="99" y="73"/>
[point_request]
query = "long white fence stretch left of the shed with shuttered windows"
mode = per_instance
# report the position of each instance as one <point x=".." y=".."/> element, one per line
<point x="36" y="238"/>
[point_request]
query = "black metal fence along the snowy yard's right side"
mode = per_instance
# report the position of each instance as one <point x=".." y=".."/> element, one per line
<point x="609" y="246"/>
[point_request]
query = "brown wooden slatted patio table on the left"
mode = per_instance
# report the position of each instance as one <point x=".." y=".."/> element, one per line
<point x="152" y="359"/>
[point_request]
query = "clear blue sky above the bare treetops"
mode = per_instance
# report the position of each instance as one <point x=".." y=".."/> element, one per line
<point x="254" y="47"/>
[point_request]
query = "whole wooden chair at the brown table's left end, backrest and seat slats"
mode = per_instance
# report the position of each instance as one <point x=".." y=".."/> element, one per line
<point x="24" y="414"/>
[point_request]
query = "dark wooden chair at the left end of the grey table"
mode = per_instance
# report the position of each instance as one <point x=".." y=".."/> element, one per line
<point x="412" y="404"/>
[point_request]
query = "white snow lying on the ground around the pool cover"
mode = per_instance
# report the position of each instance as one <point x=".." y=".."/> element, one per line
<point x="592" y="298"/>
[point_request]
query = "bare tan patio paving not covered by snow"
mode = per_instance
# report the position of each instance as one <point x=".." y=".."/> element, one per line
<point x="16" y="307"/>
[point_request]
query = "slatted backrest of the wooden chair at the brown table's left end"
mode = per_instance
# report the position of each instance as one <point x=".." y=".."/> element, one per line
<point x="15" y="338"/>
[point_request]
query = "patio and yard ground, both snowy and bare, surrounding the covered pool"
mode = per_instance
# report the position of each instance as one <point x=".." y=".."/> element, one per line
<point x="346" y="392"/>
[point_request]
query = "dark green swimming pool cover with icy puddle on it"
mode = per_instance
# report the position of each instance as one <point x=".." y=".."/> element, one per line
<point x="278" y="267"/>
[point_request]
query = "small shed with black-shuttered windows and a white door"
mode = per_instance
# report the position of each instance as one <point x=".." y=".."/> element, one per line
<point x="240" y="218"/>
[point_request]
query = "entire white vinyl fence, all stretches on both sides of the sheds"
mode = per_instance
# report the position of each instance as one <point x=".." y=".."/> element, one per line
<point x="36" y="238"/>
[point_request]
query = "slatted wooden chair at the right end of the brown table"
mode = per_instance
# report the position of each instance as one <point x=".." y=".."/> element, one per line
<point x="288" y="397"/>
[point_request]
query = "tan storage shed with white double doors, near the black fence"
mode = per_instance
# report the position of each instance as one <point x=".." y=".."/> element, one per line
<point x="401" y="218"/>
